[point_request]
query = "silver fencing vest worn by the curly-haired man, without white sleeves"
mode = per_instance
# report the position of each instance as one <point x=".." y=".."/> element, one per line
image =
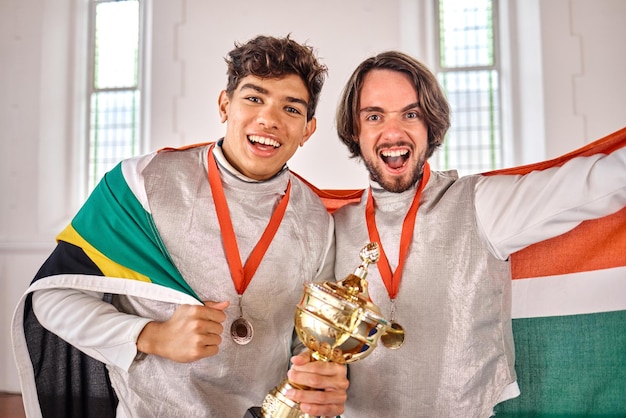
<point x="183" y="209"/>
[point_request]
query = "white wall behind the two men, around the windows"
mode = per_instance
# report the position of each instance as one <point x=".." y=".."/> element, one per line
<point x="568" y="87"/>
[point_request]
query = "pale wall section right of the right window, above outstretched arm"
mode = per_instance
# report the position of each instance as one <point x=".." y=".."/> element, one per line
<point x="583" y="71"/>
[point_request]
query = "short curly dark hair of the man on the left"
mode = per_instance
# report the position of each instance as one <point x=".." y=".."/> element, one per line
<point x="271" y="57"/>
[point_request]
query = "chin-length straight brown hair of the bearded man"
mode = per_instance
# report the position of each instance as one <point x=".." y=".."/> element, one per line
<point x="433" y="103"/>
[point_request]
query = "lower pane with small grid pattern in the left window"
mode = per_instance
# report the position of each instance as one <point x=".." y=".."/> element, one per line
<point x="114" y="130"/>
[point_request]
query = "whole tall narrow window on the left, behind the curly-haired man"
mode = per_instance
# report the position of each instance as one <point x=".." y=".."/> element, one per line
<point x="114" y="84"/>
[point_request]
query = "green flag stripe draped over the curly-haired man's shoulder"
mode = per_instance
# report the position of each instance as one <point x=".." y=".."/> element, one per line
<point x="115" y="223"/>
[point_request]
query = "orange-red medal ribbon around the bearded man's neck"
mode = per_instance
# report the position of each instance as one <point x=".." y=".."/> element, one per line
<point x="392" y="281"/>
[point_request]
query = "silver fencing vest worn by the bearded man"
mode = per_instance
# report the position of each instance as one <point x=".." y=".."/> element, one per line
<point x="453" y="302"/>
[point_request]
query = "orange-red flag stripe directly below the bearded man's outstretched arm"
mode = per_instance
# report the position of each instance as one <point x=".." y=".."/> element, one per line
<point x="593" y="245"/>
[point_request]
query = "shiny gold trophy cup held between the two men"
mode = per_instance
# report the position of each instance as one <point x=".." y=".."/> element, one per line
<point x="337" y="322"/>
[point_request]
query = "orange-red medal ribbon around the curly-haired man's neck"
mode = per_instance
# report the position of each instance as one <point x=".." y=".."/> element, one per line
<point x="241" y="275"/>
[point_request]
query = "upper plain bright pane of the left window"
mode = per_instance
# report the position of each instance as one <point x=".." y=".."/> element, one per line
<point x="116" y="44"/>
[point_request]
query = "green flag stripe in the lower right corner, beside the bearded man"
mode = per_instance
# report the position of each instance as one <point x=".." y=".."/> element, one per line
<point x="569" y="366"/>
